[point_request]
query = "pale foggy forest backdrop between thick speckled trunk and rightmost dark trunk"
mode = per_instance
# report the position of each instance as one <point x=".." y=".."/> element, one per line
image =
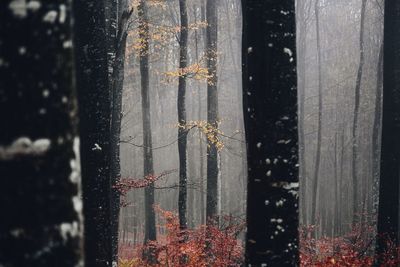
<point x="337" y="61"/>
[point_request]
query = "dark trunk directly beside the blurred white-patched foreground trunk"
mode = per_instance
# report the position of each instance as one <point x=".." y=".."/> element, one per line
<point x="94" y="113"/>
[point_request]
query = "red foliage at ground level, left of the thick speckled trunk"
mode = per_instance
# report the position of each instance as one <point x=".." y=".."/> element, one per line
<point x="203" y="246"/>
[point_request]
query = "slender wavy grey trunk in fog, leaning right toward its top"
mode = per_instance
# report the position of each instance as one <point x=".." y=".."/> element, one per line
<point x="356" y="198"/>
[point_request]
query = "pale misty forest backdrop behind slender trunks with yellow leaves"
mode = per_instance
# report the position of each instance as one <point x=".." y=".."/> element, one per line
<point x="164" y="30"/>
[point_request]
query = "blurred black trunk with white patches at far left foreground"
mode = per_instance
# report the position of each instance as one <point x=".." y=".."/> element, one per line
<point x="39" y="187"/>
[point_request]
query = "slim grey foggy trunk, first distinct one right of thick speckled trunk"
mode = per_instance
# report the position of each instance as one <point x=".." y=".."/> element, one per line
<point x="319" y="120"/>
